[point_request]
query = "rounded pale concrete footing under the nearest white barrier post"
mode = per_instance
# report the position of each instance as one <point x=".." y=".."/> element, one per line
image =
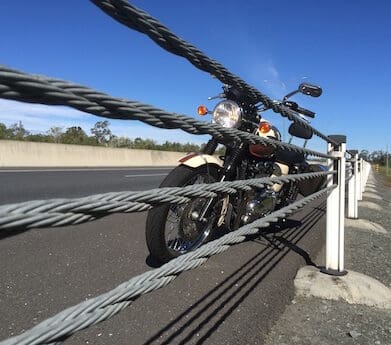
<point x="354" y="287"/>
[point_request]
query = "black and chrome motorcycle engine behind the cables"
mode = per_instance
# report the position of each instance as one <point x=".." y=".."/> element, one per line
<point x="259" y="202"/>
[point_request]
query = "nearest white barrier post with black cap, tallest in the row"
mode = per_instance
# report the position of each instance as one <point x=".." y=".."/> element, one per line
<point x="335" y="219"/>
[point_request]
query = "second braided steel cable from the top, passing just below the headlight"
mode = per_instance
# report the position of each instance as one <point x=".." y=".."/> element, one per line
<point x="21" y="86"/>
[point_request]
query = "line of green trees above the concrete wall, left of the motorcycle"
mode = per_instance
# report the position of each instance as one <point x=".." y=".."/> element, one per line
<point x="101" y="135"/>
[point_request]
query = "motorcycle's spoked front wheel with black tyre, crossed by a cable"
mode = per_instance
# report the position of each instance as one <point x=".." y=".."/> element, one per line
<point x="171" y="229"/>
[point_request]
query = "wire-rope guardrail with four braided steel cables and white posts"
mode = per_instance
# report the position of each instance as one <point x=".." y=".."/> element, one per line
<point x="59" y="212"/>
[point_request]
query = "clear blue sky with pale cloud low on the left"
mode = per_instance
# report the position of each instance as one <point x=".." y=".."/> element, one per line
<point x="344" y="46"/>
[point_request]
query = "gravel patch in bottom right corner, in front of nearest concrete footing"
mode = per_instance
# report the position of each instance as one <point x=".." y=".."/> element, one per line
<point x="314" y="321"/>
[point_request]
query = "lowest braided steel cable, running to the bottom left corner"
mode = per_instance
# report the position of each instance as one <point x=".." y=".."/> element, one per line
<point x="102" y="307"/>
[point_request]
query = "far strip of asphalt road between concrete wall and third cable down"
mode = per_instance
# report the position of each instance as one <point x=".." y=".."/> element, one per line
<point x="28" y="184"/>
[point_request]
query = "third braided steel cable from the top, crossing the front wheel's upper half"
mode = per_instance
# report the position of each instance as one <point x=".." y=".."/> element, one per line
<point x="61" y="212"/>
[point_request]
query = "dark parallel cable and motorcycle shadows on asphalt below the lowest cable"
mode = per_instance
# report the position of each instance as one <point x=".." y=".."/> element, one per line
<point x="209" y="312"/>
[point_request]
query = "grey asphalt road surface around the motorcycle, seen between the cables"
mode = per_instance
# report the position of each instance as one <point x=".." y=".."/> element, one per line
<point x="235" y="297"/>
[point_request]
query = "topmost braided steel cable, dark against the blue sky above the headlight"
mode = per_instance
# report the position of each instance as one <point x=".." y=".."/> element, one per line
<point x="136" y="19"/>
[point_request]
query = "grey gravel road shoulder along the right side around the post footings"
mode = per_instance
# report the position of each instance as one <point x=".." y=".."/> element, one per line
<point x="311" y="320"/>
